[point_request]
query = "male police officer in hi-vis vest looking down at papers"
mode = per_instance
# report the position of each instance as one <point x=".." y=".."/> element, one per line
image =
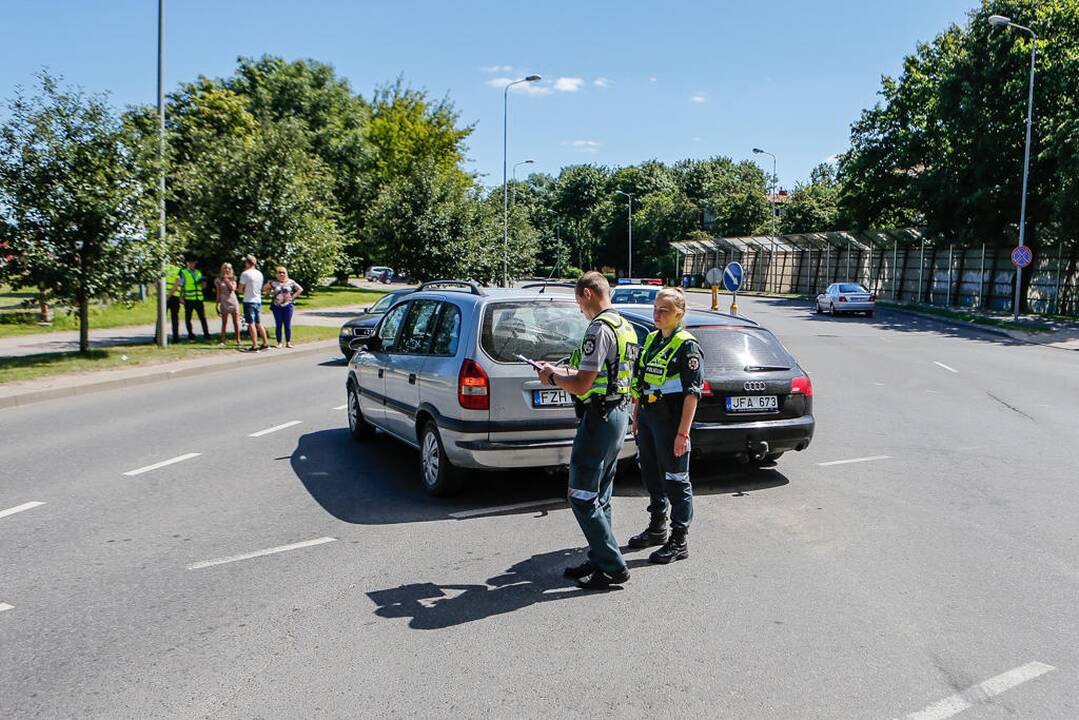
<point x="599" y="377"/>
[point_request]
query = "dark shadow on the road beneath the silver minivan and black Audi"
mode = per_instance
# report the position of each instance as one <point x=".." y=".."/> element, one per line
<point x="378" y="483"/>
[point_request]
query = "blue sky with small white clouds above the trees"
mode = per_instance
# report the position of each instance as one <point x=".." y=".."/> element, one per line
<point x="623" y="81"/>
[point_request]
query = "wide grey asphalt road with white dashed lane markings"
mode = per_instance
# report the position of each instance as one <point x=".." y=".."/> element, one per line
<point x="921" y="558"/>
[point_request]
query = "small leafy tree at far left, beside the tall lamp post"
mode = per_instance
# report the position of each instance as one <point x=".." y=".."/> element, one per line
<point x="77" y="200"/>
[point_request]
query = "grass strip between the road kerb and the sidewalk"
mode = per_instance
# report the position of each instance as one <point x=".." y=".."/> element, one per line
<point x="52" y="364"/>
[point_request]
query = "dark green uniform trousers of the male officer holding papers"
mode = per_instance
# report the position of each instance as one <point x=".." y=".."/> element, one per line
<point x="593" y="466"/>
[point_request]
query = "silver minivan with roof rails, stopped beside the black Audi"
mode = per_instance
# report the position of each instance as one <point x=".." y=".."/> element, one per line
<point x="442" y="373"/>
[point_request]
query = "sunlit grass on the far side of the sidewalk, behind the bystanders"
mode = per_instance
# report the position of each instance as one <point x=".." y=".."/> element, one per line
<point x="146" y="313"/>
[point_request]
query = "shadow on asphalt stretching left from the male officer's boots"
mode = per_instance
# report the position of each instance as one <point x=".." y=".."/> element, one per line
<point x="432" y="606"/>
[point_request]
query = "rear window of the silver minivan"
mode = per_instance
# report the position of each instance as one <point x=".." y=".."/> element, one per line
<point x="539" y="331"/>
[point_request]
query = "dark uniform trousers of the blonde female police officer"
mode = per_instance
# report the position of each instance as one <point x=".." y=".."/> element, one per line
<point x="666" y="478"/>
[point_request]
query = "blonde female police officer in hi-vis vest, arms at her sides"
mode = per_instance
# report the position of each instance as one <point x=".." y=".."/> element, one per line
<point x="667" y="385"/>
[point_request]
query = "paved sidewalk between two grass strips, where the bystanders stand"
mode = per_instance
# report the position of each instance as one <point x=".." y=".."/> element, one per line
<point x="69" y="341"/>
